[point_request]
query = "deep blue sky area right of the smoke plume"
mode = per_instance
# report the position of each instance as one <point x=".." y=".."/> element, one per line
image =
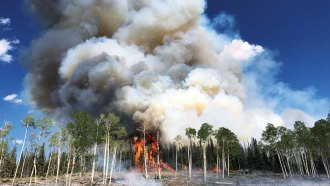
<point x="297" y="30"/>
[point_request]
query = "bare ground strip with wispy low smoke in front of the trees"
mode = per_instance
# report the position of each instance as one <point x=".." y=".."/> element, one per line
<point x="169" y="179"/>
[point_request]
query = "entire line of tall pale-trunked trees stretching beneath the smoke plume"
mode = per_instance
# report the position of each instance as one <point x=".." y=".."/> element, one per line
<point x="101" y="145"/>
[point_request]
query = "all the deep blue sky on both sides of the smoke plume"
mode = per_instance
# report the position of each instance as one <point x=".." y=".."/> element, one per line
<point x="297" y="32"/>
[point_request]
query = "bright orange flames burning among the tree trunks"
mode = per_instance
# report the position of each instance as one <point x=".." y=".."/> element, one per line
<point x="149" y="147"/>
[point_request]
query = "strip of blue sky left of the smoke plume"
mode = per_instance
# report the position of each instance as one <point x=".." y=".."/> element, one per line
<point x="23" y="28"/>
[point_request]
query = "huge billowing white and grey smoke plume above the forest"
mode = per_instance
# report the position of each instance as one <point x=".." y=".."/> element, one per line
<point x="157" y="62"/>
